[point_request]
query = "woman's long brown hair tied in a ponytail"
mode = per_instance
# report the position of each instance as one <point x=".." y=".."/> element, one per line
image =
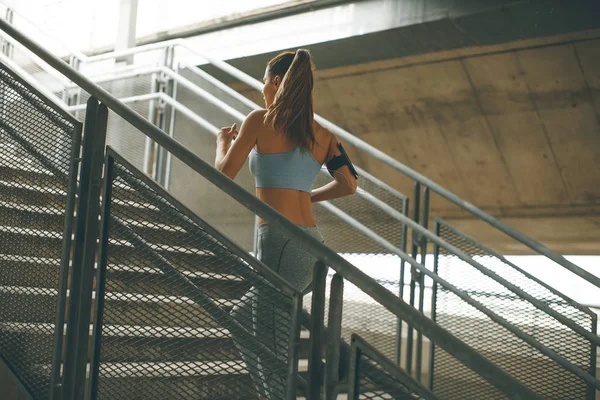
<point x="292" y="110"/>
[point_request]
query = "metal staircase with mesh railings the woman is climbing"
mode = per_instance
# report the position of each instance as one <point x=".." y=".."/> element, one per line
<point x="151" y="285"/>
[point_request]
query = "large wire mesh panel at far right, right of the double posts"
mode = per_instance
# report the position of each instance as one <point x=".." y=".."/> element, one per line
<point x="495" y="342"/>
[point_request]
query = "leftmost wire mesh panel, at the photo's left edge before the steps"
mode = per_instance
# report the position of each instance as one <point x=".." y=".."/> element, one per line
<point x="36" y="210"/>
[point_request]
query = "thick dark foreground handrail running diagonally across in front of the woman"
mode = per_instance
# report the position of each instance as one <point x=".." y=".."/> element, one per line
<point x="444" y="339"/>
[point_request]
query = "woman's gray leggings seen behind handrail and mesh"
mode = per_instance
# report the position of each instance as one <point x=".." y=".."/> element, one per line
<point x="270" y="322"/>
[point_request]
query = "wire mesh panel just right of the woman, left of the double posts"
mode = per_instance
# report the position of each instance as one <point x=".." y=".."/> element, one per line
<point x="361" y="314"/>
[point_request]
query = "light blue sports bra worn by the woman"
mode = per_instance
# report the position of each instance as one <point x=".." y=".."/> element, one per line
<point x="290" y="170"/>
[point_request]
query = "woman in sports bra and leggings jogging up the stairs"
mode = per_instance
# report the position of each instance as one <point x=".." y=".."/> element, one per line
<point x="287" y="148"/>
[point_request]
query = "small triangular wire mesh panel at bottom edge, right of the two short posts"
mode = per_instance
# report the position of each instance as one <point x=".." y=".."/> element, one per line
<point x="372" y="376"/>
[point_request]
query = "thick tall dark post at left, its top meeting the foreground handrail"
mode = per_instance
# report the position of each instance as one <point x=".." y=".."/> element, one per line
<point x="84" y="254"/>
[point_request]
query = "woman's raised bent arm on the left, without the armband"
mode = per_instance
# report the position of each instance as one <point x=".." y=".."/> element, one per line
<point x="233" y="147"/>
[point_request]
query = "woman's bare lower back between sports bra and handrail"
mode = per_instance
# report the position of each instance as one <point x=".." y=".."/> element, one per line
<point x="293" y="204"/>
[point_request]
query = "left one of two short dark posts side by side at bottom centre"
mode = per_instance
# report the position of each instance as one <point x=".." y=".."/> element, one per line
<point x="316" y="331"/>
